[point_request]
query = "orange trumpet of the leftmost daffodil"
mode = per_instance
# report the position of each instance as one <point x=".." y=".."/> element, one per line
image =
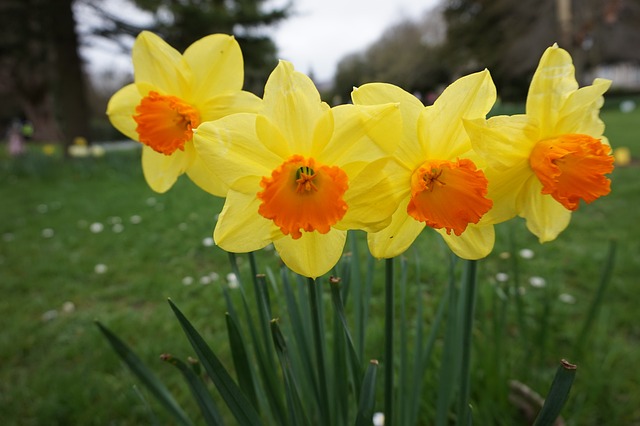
<point x="165" y="123"/>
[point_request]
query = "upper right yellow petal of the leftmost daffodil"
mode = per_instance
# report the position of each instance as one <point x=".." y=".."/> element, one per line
<point x="216" y="66"/>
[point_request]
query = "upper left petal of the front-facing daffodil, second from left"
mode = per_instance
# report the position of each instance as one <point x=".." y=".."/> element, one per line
<point x="231" y="148"/>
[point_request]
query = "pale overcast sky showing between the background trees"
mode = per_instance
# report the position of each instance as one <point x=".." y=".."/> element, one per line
<point x="314" y="39"/>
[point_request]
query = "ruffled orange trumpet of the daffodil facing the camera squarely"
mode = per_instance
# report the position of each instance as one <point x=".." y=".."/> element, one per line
<point x="301" y="195"/>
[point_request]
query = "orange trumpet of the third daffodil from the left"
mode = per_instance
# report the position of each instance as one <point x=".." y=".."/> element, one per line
<point x="448" y="194"/>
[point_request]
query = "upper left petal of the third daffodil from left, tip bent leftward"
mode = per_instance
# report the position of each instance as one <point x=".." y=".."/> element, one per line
<point x="410" y="109"/>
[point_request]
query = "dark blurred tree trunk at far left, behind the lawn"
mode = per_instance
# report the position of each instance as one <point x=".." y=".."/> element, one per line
<point x="68" y="76"/>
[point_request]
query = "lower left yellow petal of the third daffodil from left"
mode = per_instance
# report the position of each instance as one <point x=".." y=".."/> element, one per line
<point x="396" y="238"/>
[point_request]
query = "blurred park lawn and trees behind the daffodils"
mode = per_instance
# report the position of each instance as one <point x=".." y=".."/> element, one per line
<point x="84" y="238"/>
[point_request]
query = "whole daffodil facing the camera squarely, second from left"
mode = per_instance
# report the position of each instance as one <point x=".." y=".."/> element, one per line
<point x="300" y="173"/>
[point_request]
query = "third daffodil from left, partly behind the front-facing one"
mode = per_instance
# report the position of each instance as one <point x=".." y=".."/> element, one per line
<point x="438" y="178"/>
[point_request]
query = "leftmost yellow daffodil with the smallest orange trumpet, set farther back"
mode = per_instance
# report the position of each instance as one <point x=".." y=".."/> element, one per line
<point x="171" y="95"/>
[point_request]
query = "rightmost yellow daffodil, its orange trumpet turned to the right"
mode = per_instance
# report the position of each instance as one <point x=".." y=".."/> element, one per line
<point x="542" y="163"/>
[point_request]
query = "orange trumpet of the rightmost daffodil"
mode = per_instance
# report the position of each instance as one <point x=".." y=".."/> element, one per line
<point x="572" y="167"/>
